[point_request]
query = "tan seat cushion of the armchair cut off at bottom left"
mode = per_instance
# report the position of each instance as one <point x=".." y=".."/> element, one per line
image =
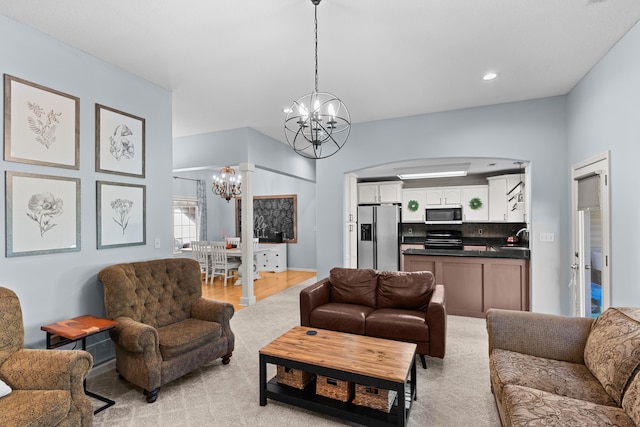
<point x="35" y="407"/>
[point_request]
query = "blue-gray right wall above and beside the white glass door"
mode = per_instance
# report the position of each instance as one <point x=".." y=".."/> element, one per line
<point x="603" y="114"/>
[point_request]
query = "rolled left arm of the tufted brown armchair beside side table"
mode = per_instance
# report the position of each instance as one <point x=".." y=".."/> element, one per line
<point x="135" y="337"/>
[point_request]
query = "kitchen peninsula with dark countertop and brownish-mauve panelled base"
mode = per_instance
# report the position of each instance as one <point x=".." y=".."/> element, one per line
<point x="476" y="277"/>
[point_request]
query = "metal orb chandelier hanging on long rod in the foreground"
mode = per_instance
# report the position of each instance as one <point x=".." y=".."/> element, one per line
<point x="318" y="124"/>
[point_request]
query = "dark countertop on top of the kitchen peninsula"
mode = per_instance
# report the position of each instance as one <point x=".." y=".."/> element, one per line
<point x="475" y="247"/>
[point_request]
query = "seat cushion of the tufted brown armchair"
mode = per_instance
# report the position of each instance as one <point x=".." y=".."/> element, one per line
<point x="186" y="335"/>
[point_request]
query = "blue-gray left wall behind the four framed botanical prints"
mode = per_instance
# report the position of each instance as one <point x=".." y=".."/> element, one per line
<point x="58" y="286"/>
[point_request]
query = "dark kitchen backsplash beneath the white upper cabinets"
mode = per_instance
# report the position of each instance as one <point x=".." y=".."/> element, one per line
<point x="469" y="229"/>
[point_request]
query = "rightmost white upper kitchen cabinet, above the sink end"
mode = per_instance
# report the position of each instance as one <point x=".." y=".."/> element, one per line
<point x="507" y="198"/>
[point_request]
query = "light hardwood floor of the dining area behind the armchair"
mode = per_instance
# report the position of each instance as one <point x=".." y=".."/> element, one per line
<point x="269" y="284"/>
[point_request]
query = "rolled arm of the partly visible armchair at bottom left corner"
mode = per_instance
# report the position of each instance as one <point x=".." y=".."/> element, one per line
<point x="31" y="369"/>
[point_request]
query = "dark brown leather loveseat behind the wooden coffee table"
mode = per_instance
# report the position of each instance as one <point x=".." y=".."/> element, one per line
<point x="397" y="305"/>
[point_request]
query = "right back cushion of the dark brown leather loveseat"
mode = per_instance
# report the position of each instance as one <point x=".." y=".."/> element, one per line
<point x="406" y="290"/>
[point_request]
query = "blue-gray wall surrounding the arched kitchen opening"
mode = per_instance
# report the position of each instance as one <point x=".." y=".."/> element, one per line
<point x="532" y="130"/>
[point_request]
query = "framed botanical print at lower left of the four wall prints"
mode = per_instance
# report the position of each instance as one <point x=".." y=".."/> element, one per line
<point x="42" y="214"/>
